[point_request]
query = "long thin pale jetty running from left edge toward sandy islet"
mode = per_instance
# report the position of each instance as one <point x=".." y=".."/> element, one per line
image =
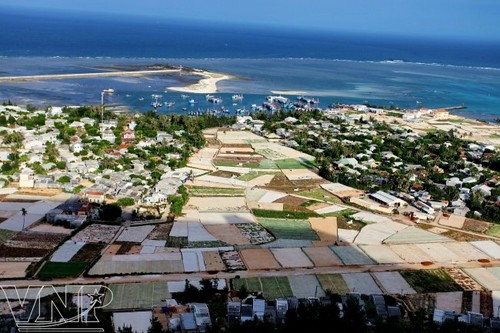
<point x="85" y="75"/>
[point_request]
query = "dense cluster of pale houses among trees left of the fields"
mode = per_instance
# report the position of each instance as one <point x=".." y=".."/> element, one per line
<point x="118" y="182"/>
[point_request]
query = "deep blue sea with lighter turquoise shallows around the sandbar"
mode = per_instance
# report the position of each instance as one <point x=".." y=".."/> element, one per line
<point x="347" y="68"/>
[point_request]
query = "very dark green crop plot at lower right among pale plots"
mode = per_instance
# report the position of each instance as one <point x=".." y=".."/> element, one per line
<point x="431" y="281"/>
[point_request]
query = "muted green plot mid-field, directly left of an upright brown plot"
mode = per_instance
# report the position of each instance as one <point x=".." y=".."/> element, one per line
<point x="289" y="229"/>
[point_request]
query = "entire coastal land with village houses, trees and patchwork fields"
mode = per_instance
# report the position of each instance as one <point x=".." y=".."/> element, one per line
<point x="376" y="215"/>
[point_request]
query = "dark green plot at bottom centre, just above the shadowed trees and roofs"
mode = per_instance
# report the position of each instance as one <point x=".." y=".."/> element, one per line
<point x="273" y="287"/>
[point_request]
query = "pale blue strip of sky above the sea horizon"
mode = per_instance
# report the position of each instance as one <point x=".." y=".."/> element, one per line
<point x="468" y="19"/>
